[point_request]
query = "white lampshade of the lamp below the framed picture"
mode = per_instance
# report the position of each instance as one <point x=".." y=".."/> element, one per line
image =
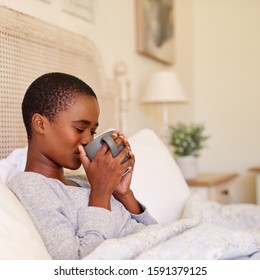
<point x="164" y="87"/>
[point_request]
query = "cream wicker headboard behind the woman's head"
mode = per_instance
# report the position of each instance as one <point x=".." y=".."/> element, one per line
<point x="30" y="48"/>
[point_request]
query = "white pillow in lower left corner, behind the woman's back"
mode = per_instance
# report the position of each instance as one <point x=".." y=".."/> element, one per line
<point x="19" y="238"/>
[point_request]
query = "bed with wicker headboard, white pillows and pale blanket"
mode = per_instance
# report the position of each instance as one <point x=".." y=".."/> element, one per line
<point x="188" y="226"/>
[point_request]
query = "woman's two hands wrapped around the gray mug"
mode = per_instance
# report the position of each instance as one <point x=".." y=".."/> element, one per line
<point x="105" y="172"/>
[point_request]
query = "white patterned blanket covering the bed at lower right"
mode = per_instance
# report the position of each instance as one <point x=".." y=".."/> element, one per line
<point x="207" y="230"/>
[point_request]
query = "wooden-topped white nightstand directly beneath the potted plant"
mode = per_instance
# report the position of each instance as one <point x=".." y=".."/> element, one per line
<point x="213" y="186"/>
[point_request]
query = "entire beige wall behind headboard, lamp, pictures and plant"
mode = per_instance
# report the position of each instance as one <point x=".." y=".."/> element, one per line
<point x="217" y="57"/>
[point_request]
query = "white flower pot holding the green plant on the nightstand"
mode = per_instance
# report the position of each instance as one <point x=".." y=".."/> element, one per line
<point x="188" y="166"/>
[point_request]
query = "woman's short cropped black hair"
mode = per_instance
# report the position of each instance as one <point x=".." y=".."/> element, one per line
<point x="51" y="94"/>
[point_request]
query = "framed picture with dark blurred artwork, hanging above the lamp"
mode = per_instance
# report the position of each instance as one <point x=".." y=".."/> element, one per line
<point x="154" y="22"/>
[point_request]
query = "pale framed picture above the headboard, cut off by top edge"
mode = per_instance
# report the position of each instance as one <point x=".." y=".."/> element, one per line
<point x="79" y="8"/>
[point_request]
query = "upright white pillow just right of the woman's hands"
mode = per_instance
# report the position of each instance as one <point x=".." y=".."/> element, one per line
<point x="157" y="180"/>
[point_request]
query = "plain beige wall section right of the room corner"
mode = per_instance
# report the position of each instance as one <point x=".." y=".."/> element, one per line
<point x="226" y="84"/>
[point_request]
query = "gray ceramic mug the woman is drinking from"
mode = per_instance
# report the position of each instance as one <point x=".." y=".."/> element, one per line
<point x="92" y="147"/>
